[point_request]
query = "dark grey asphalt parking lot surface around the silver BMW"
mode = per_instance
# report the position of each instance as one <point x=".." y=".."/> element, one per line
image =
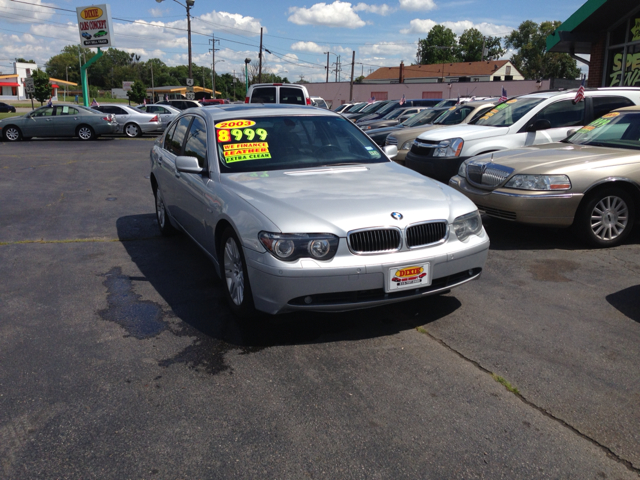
<point x="119" y="357"/>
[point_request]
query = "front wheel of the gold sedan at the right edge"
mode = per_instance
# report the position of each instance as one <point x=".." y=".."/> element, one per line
<point x="606" y="217"/>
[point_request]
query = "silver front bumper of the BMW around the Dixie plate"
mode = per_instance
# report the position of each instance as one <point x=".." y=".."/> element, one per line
<point x="358" y="281"/>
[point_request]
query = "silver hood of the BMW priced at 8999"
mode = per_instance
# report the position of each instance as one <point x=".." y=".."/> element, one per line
<point x="344" y="198"/>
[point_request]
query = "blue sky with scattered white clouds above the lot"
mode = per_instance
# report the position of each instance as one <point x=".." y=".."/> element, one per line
<point x="296" y="32"/>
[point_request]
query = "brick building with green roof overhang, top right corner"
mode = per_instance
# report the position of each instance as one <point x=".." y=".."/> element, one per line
<point x="609" y="31"/>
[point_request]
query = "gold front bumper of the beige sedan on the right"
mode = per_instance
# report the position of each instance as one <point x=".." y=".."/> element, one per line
<point x="536" y="208"/>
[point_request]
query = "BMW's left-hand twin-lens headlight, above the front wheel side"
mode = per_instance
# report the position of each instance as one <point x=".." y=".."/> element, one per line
<point x="292" y="246"/>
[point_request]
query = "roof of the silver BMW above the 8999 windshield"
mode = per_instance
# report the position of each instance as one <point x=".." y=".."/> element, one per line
<point x="260" y="110"/>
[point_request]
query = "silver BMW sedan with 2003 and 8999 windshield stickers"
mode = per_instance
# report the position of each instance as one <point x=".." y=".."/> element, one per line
<point x="299" y="210"/>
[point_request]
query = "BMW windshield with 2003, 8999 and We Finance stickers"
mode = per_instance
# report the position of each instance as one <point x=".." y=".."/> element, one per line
<point x="290" y="142"/>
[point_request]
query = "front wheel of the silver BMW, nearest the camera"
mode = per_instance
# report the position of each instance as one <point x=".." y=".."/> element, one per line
<point x="235" y="279"/>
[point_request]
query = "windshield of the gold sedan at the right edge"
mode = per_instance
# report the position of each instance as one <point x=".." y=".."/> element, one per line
<point x="615" y="129"/>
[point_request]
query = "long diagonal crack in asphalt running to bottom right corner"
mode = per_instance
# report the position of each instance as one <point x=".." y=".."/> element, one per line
<point x="610" y="453"/>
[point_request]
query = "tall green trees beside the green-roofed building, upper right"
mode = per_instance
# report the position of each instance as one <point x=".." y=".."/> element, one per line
<point x="532" y="58"/>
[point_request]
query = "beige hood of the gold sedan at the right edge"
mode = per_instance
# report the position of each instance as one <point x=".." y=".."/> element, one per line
<point x="562" y="158"/>
